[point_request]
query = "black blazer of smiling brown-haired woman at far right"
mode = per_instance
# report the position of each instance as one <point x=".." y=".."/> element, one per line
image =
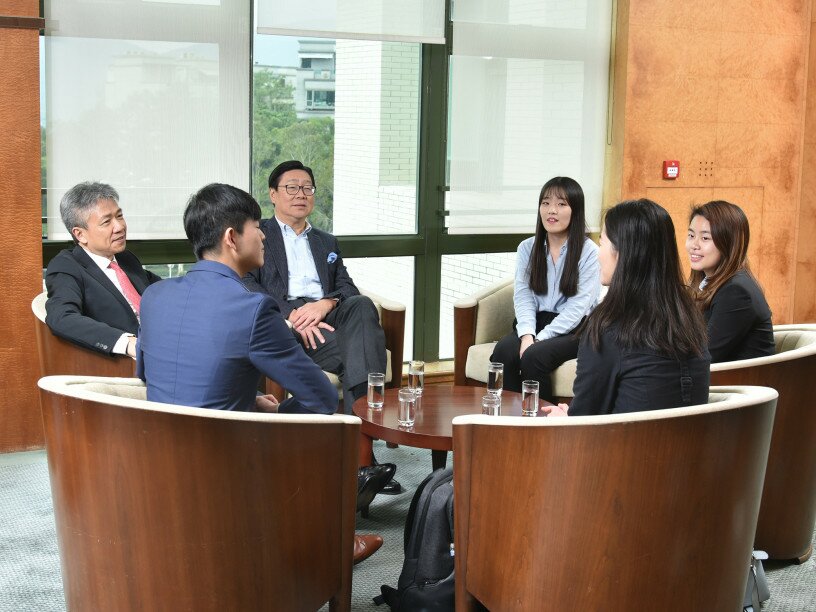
<point x="739" y="321"/>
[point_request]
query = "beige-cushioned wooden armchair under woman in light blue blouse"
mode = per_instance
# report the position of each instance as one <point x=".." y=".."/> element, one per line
<point x="482" y="319"/>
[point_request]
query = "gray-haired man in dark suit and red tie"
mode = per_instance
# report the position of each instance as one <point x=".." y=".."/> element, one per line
<point x="94" y="290"/>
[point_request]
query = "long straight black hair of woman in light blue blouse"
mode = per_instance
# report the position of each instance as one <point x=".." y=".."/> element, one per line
<point x="570" y="190"/>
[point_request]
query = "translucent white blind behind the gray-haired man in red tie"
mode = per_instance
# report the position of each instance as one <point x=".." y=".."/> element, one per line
<point x="157" y="111"/>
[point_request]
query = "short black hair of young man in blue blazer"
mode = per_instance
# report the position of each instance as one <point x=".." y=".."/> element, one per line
<point x="213" y="209"/>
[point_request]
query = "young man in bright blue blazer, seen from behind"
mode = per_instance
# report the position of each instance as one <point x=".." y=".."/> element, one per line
<point x="205" y="338"/>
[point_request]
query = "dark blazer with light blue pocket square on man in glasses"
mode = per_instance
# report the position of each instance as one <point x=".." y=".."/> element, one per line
<point x="273" y="277"/>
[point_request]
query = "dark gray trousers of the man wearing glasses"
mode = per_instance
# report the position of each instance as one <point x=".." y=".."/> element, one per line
<point x="355" y="347"/>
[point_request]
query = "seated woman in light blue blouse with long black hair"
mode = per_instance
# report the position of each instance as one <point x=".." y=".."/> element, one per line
<point x="557" y="285"/>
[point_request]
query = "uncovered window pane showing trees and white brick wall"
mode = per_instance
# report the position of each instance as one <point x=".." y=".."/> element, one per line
<point x="349" y="109"/>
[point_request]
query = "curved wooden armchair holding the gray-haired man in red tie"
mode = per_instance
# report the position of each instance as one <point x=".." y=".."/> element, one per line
<point x="58" y="356"/>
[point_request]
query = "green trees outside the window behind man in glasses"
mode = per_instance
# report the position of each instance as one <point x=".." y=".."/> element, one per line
<point x="278" y="135"/>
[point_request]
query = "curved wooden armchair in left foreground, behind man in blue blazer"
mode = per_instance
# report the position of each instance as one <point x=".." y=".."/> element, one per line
<point x="163" y="507"/>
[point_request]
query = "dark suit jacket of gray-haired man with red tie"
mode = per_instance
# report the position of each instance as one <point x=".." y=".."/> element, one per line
<point x="84" y="306"/>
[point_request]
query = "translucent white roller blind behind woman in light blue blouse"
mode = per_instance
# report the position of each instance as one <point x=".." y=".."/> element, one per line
<point x="527" y="102"/>
